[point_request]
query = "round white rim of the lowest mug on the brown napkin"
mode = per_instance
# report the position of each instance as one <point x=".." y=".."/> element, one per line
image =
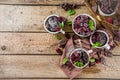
<point x="85" y="52"/>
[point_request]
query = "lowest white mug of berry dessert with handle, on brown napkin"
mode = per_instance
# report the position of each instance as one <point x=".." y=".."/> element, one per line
<point x="80" y="57"/>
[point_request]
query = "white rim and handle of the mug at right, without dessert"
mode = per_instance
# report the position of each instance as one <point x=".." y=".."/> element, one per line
<point x="106" y="45"/>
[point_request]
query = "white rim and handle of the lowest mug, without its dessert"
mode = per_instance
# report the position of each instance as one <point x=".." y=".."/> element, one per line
<point x="86" y="52"/>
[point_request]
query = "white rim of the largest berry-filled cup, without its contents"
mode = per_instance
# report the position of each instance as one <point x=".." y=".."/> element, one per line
<point x="89" y="17"/>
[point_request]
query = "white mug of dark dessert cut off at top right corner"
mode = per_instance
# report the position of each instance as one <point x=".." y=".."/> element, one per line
<point x="107" y="7"/>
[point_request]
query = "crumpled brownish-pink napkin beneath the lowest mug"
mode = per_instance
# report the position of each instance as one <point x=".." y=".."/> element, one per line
<point x="72" y="43"/>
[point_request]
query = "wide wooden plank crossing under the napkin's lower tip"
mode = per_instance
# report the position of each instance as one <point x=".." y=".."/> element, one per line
<point x="32" y="66"/>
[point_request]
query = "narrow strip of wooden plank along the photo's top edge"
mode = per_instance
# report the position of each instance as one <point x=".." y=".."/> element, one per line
<point x="40" y="1"/>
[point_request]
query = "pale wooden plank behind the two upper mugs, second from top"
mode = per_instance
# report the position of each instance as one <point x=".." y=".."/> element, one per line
<point x="31" y="18"/>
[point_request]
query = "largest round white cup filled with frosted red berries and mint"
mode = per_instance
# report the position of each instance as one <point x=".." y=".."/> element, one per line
<point x="84" y="25"/>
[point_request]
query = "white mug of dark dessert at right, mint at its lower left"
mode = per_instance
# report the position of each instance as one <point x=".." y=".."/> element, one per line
<point x="100" y="39"/>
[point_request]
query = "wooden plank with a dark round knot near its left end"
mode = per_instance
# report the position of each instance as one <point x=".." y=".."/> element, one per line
<point x="31" y="43"/>
